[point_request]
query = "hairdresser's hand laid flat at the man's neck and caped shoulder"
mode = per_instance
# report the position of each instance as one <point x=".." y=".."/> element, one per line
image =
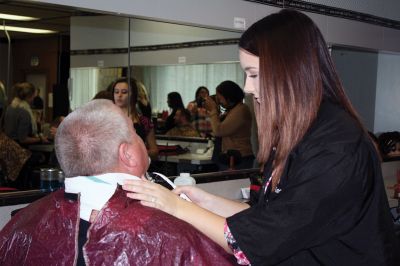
<point x="153" y="195"/>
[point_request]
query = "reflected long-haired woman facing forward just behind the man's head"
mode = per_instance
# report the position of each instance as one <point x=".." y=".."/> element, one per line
<point x="143" y="125"/>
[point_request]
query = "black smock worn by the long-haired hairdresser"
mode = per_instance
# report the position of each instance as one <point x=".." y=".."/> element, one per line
<point x="330" y="207"/>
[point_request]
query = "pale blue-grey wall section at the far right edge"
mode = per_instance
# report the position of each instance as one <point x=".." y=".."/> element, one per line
<point x="387" y="107"/>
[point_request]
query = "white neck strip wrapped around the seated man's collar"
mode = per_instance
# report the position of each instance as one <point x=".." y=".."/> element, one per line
<point x="95" y="191"/>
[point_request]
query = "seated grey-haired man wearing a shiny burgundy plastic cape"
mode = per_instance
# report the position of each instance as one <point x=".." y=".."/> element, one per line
<point x="93" y="222"/>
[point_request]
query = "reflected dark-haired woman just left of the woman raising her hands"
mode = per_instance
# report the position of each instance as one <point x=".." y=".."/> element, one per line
<point x="201" y="120"/>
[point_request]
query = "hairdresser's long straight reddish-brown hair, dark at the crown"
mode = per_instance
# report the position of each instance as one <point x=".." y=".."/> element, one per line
<point x="296" y="73"/>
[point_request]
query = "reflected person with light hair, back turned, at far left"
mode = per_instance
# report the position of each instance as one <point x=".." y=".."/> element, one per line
<point x="19" y="121"/>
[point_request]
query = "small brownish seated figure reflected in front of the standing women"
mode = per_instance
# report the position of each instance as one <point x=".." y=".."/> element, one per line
<point x="183" y="127"/>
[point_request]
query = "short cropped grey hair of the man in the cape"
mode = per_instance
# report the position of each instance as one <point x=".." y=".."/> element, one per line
<point x="88" y="139"/>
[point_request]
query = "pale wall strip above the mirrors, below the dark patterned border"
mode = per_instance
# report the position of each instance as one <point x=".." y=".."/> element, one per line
<point x="221" y="13"/>
